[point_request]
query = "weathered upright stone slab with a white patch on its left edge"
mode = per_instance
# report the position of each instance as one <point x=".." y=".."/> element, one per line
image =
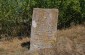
<point x="44" y="28"/>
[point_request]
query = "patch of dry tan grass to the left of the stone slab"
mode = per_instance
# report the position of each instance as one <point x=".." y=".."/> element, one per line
<point x="13" y="47"/>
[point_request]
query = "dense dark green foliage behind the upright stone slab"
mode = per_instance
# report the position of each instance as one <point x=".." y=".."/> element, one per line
<point x="15" y="15"/>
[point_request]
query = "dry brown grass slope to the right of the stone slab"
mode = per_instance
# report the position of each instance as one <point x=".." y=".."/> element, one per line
<point x="72" y="40"/>
